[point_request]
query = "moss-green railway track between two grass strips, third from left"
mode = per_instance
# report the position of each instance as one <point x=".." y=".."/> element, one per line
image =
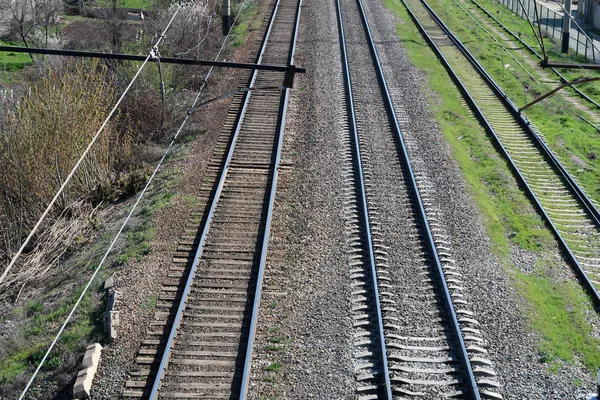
<point x="568" y="211"/>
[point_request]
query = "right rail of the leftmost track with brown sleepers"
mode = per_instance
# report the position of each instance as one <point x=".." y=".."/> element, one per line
<point x="265" y="241"/>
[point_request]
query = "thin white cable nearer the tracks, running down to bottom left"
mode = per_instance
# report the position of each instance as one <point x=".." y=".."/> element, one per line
<point x="112" y="244"/>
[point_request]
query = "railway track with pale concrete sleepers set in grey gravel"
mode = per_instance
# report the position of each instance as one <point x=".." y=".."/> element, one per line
<point x="409" y="343"/>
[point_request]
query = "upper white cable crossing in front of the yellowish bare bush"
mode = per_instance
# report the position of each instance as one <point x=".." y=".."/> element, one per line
<point x="64" y="184"/>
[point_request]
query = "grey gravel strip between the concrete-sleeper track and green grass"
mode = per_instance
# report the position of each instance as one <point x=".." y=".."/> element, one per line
<point x="511" y="344"/>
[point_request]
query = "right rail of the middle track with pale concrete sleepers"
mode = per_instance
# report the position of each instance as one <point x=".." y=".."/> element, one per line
<point x="470" y="383"/>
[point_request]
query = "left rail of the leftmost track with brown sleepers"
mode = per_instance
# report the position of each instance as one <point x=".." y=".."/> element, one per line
<point x="179" y="314"/>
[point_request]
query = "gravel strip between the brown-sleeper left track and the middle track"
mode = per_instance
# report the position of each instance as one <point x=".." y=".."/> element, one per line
<point x="304" y="333"/>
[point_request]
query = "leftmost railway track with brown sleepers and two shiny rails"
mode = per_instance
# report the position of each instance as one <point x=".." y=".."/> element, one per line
<point x="200" y="345"/>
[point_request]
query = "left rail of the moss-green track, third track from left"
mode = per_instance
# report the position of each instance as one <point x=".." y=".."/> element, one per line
<point x="477" y="111"/>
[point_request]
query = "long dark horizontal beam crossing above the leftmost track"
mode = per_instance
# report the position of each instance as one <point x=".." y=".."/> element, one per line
<point x="164" y="60"/>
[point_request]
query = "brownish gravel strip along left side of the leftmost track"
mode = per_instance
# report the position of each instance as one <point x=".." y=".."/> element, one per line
<point x="139" y="282"/>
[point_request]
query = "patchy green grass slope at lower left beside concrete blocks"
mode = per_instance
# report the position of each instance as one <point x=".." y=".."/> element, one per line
<point x="39" y="320"/>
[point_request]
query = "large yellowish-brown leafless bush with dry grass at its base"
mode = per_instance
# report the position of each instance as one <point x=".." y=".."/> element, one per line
<point x="42" y="137"/>
